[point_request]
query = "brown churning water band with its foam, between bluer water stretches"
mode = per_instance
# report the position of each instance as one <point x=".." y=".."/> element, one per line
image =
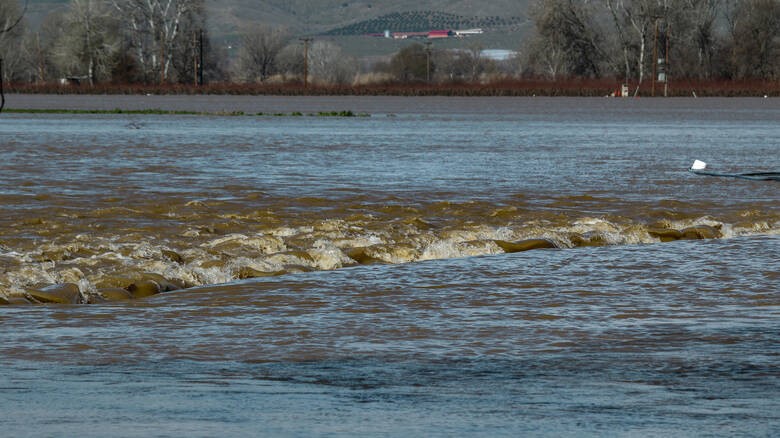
<point x="160" y="245"/>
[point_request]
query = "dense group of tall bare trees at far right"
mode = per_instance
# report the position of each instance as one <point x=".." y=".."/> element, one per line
<point x="705" y="39"/>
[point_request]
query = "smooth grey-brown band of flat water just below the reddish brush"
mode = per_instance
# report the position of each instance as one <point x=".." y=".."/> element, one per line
<point x="248" y="105"/>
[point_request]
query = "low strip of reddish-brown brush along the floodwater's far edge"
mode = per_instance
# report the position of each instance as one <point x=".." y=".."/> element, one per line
<point x="574" y="87"/>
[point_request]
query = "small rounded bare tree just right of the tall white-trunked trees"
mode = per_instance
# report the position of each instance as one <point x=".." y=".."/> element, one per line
<point x="260" y="47"/>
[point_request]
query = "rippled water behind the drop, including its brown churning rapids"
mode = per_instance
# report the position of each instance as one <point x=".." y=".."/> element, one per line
<point x="112" y="203"/>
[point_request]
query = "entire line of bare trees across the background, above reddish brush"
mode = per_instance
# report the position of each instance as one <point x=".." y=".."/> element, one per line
<point x="166" y="41"/>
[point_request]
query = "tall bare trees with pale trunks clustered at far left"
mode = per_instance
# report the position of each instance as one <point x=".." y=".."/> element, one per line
<point x="108" y="40"/>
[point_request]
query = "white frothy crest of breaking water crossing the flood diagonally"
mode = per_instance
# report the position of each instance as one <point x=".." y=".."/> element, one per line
<point x="209" y="259"/>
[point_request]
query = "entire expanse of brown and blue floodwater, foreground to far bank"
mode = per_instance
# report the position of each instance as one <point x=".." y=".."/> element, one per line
<point x="443" y="267"/>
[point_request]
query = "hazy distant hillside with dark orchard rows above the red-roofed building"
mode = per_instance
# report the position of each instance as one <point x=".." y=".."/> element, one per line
<point x="343" y="17"/>
